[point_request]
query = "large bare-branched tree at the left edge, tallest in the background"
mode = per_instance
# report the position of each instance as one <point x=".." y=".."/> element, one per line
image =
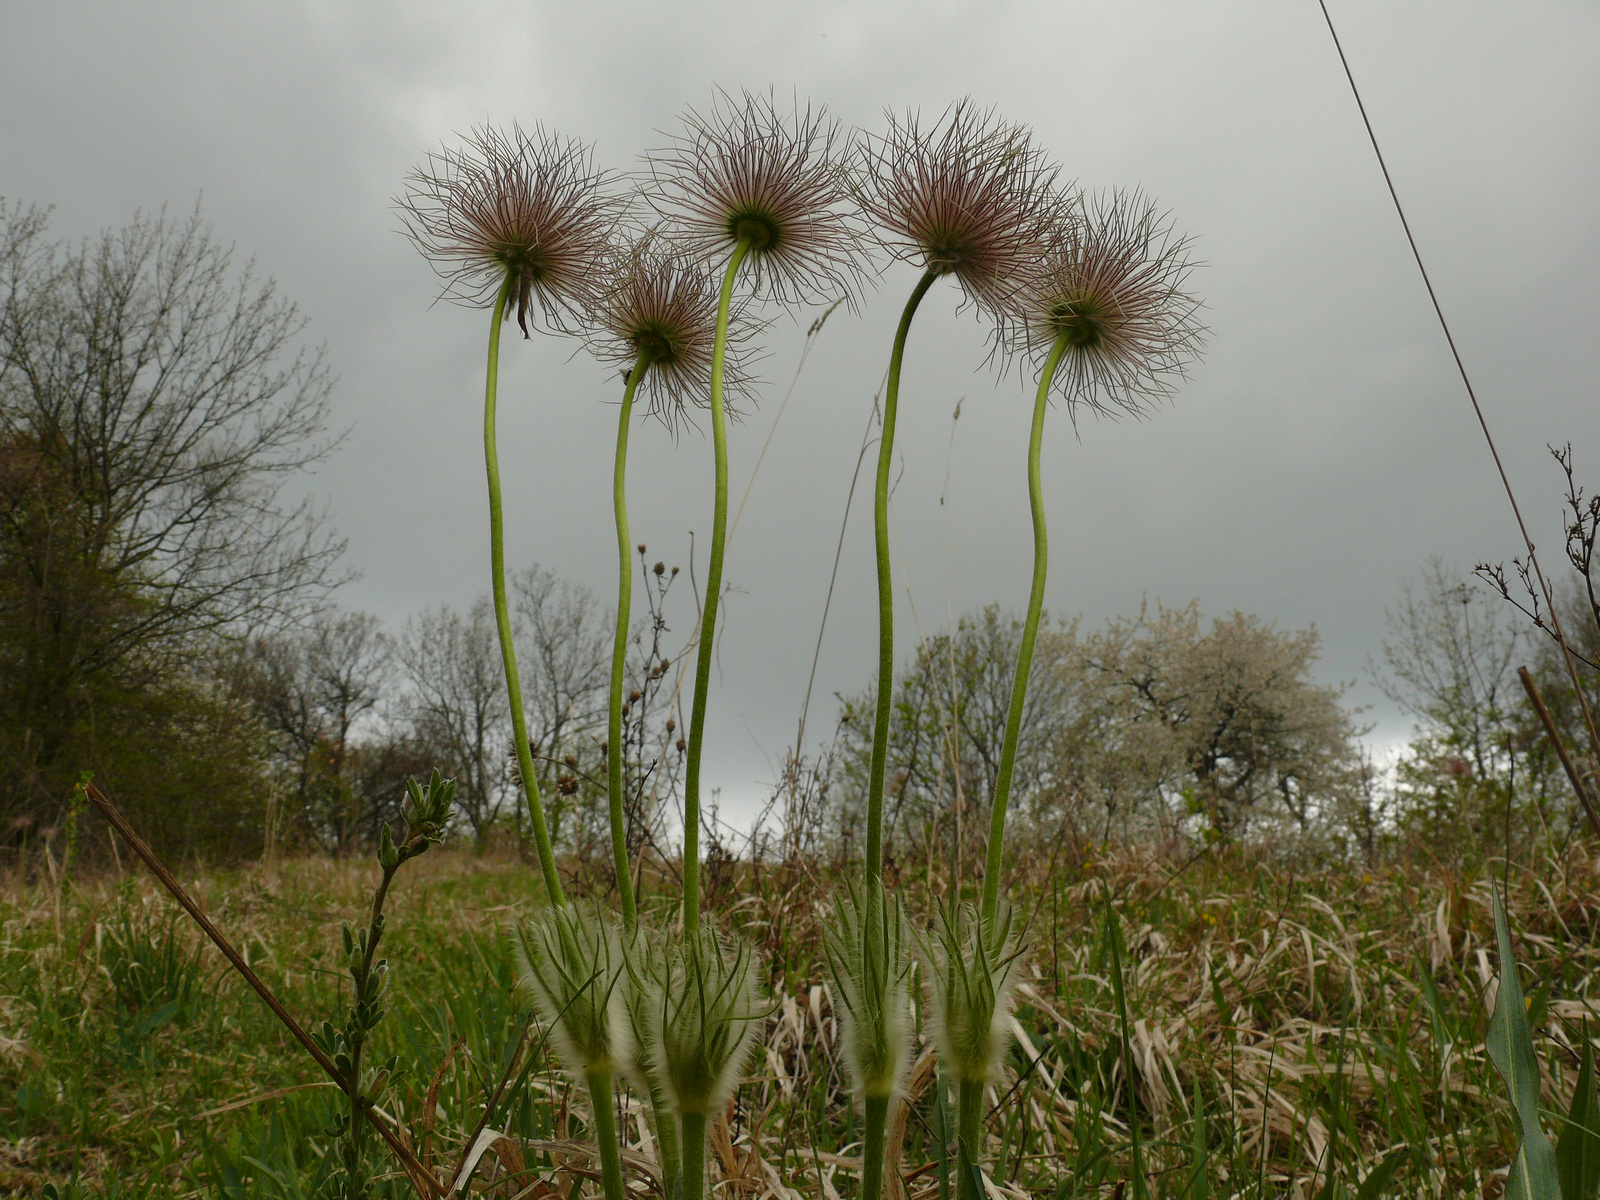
<point x="153" y="409"/>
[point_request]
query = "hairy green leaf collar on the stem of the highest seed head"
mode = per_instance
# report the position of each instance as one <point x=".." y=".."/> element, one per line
<point x="705" y="1020"/>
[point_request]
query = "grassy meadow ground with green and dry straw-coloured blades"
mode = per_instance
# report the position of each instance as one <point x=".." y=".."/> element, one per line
<point x="1282" y="1028"/>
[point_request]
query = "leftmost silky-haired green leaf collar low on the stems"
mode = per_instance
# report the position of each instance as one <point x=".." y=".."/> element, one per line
<point x="572" y="964"/>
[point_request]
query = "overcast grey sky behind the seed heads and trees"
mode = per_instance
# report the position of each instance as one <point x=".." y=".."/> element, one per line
<point x="1322" y="452"/>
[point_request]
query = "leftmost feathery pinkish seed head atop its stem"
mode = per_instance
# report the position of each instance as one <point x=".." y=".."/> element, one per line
<point x="526" y="206"/>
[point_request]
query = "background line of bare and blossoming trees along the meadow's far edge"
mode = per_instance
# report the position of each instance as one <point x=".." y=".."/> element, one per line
<point x="167" y="623"/>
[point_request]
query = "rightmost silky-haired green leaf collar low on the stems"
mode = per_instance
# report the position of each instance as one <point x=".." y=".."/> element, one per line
<point x="974" y="969"/>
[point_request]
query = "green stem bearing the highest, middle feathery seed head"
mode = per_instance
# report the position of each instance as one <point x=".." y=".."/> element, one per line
<point x="719" y="537"/>
